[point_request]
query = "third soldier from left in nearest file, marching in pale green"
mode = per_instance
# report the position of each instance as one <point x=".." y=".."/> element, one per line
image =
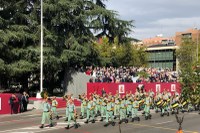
<point x="109" y="112"/>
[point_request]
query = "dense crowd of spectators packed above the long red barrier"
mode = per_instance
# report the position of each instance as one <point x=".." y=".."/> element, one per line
<point x="131" y="74"/>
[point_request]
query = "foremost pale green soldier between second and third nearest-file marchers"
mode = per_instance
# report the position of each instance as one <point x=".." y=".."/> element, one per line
<point x="90" y="110"/>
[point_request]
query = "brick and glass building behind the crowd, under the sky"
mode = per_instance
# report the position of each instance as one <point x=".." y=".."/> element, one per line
<point x="162" y="50"/>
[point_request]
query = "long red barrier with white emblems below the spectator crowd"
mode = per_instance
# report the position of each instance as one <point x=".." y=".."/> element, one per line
<point x="123" y="88"/>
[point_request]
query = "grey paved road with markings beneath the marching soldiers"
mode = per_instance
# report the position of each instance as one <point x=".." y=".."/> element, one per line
<point x="29" y="122"/>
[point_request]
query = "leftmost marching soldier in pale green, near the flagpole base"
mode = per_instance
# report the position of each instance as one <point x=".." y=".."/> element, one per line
<point x="46" y="113"/>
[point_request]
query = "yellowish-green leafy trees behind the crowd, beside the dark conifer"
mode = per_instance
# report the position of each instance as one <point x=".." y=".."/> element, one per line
<point x="115" y="54"/>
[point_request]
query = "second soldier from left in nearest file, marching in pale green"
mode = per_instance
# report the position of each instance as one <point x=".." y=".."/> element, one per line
<point x="71" y="114"/>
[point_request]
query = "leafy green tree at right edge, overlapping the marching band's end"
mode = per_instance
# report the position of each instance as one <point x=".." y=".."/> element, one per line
<point x="189" y="70"/>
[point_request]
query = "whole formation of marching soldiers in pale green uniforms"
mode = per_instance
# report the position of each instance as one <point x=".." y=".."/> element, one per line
<point x="121" y="107"/>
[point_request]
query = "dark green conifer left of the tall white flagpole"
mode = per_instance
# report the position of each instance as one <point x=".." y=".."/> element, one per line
<point x="18" y="37"/>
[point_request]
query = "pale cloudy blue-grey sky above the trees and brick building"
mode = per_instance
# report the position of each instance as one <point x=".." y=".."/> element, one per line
<point x="156" y="17"/>
